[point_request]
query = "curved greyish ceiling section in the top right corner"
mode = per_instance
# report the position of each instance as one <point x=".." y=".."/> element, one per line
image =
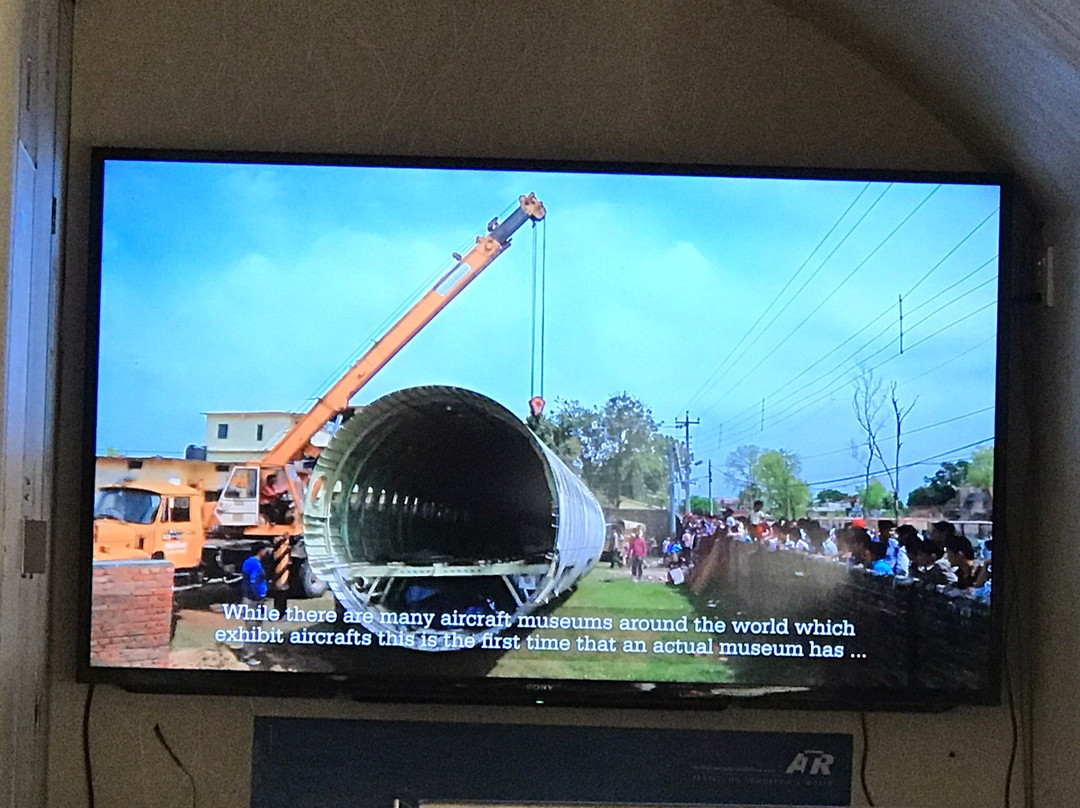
<point x="1004" y="75"/>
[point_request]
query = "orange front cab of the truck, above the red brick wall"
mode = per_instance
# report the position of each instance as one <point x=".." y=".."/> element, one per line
<point x="150" y="520"/>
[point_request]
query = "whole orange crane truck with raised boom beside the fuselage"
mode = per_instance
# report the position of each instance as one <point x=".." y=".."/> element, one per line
<point x="208" y="535"/>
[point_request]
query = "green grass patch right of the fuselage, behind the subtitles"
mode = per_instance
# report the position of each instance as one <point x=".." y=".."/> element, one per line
<point x="611" y="594"/>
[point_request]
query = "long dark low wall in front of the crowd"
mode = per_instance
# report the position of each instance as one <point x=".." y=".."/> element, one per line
<point x="912" y="635"/>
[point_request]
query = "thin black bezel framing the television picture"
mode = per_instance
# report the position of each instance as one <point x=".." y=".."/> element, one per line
<point x="533" y="692"/>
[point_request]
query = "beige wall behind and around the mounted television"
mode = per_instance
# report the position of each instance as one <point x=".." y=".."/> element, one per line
<point x="731" y="82"/>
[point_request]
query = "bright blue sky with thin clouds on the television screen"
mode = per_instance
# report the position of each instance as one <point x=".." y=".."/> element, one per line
<point x="228" y="287"/>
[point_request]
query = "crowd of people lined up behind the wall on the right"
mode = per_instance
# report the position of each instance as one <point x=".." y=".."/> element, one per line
<point x="938" y="557"/>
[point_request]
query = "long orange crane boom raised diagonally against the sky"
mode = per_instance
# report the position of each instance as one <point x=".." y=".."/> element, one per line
<point x="488" y="249"/>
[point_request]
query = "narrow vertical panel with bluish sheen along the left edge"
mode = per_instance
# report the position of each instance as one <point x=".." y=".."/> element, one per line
<point x="31" y="173"/>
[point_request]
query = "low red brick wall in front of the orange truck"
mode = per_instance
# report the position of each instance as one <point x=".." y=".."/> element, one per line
<point x="132" y="614"/>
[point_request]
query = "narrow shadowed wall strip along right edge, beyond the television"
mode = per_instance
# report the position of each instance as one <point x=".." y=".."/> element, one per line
<point x="1051" y="384"/>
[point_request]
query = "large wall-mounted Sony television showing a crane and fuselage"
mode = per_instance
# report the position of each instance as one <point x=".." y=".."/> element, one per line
<point x="517" y="433"/>
